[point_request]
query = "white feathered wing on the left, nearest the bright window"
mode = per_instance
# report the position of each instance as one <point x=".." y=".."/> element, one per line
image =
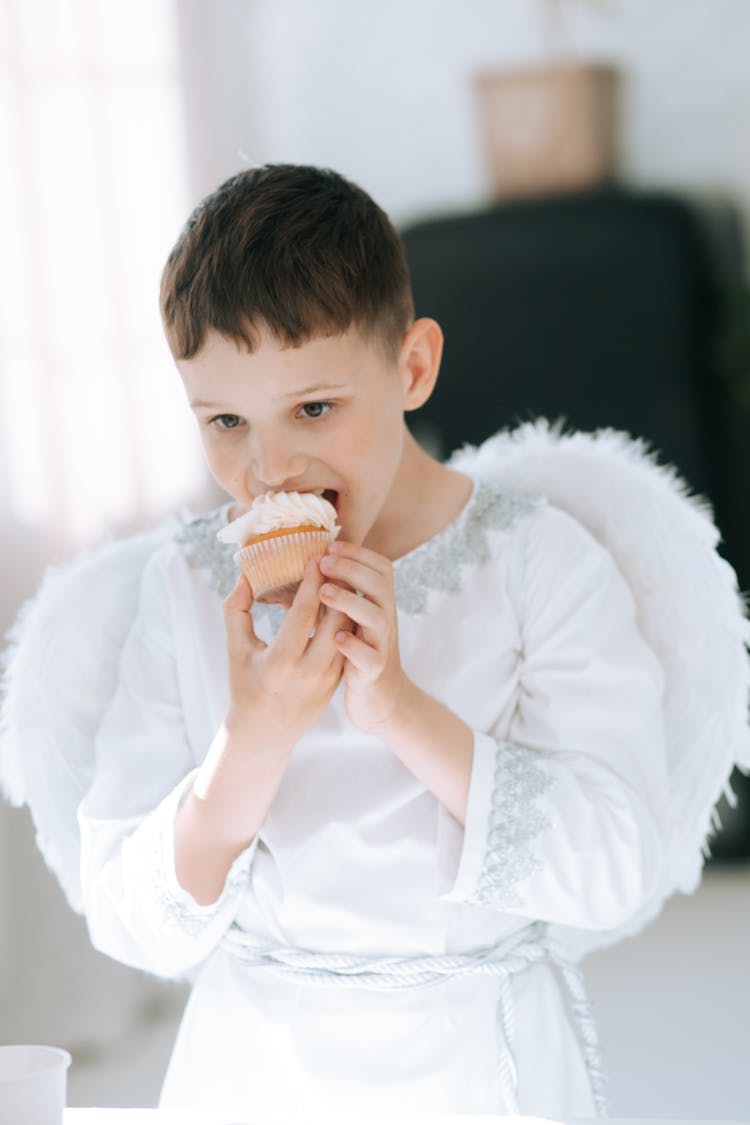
<point x="60" y="673"/>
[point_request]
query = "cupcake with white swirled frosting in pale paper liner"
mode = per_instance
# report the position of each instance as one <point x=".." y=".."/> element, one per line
<point x="278" y="536"/>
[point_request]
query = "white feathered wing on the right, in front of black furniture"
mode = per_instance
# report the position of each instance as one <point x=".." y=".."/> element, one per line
<point x="690" y="611"/>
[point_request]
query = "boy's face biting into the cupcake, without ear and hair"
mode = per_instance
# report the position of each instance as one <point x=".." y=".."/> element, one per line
<point x="329" y="415"/>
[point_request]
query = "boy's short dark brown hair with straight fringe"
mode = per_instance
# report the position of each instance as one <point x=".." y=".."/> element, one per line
<point x="297" y="249"/>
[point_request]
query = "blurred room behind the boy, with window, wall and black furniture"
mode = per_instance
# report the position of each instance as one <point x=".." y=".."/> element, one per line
<point x="573" y="184"/>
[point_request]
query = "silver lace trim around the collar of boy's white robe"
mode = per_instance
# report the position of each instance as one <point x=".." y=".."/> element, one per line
<point x="438" y="566"/>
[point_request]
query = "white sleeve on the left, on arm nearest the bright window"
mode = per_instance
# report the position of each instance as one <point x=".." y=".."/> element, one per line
<point x="137" y="911"/>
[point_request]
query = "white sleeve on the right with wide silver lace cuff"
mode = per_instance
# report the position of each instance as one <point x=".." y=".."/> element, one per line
<point x="565" y="805"/>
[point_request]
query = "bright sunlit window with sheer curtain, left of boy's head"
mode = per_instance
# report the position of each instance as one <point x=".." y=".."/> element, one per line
<point x="95" y="435"/>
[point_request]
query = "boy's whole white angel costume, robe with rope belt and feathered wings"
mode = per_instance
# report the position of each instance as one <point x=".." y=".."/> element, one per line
<point x="367" y="950"/>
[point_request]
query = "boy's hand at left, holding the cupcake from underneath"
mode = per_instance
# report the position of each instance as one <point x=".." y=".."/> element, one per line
<point x="277" y="691"/>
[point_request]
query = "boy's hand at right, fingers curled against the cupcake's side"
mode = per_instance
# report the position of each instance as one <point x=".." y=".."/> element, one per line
<point x="360" y="584"/>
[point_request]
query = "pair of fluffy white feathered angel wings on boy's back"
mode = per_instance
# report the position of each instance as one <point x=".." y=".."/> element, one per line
<point x="62" y="664"/>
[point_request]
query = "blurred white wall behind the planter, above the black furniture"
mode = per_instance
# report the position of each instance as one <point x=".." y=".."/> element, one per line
<point x="383" y="93"/>
